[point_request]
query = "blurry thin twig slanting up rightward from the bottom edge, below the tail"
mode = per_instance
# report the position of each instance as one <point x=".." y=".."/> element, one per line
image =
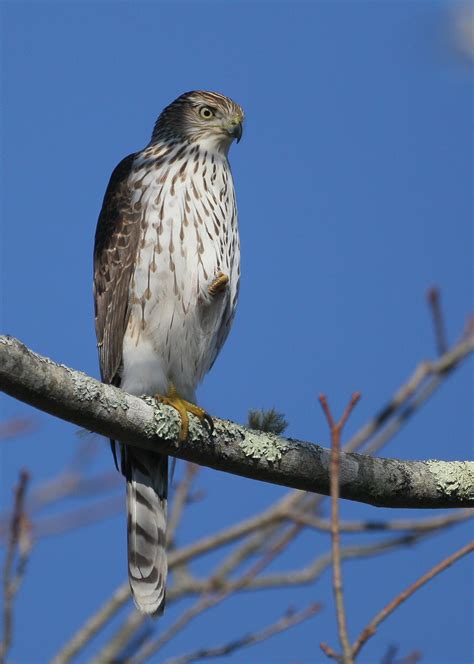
<point x="288" y="621"/>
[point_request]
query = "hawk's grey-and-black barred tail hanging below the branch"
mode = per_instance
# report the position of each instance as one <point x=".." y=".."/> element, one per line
<point x="147" y="489"/>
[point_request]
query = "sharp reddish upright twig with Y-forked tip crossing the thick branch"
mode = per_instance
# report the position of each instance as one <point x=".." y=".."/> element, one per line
<point x="336" y="430"/>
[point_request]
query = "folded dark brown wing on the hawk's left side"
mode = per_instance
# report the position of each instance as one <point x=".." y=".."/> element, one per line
<point x="116" y="244"/>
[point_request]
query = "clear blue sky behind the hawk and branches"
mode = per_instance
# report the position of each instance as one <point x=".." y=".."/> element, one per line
<point x="354" y="187"/>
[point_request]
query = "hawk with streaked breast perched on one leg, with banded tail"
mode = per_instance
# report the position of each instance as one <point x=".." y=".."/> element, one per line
<point x="166" y="280"/>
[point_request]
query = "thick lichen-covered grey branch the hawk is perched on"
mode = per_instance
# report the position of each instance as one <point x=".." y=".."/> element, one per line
<point x="80" y="399"/>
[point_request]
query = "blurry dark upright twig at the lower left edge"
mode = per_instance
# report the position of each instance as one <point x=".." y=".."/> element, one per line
<point x="19" y="539"/>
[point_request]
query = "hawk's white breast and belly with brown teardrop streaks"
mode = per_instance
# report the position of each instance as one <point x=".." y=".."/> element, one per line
<point x="176" y="328"/>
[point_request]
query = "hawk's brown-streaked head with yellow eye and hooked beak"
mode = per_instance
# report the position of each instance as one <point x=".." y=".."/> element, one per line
<point x="207" y="118"/>
